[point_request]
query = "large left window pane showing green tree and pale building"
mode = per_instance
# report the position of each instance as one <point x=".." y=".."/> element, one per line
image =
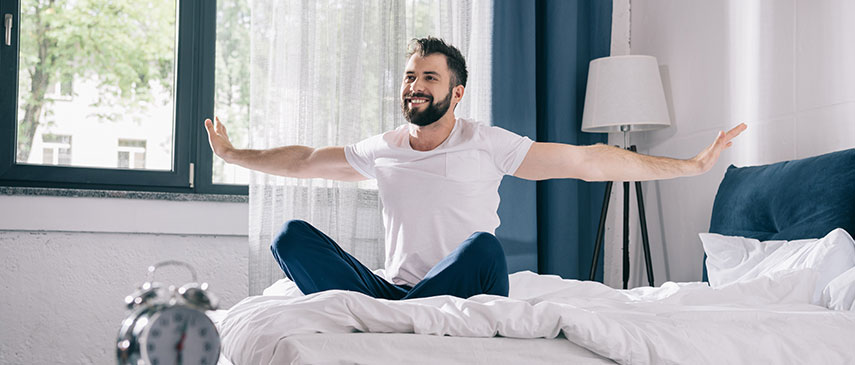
<point x="92" y="72"/>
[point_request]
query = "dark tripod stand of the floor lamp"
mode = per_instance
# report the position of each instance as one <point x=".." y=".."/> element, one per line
<point x="642" y="220"/>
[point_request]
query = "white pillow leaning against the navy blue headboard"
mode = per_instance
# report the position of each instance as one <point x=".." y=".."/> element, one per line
<point x="734" y="259"/>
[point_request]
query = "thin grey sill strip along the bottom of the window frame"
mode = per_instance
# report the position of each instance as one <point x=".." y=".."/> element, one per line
<point x="120" y="194"/>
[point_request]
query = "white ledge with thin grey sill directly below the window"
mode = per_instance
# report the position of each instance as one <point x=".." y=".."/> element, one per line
<point x="108" y="211"/>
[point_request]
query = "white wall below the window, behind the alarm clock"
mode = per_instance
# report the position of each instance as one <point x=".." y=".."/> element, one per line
<point x="66" y="265"/>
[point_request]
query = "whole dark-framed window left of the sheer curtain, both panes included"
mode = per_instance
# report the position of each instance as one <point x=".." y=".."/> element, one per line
<point x="129" y="82"/>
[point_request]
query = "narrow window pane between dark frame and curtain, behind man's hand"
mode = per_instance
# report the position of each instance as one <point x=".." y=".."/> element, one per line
<point x="231" y="93"/>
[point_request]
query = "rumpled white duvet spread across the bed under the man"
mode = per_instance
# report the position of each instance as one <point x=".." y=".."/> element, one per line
<point x="765" y="320"/>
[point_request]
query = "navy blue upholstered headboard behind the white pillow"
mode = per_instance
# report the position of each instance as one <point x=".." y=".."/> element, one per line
<point x="787" y="200"/>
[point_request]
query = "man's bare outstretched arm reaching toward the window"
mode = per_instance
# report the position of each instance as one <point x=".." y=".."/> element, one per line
<point x="291" y="161"/>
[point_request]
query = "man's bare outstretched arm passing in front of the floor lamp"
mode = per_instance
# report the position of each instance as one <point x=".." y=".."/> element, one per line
<point x="606" y="163"/>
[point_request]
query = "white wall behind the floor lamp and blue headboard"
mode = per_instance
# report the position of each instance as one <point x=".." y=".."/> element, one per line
<point x="785" y="67"/>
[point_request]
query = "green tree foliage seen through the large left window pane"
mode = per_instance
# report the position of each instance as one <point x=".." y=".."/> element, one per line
<point x="124" y="44"/>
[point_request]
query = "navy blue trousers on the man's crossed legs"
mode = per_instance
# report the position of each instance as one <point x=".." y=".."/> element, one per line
<point x="316" y="263"/>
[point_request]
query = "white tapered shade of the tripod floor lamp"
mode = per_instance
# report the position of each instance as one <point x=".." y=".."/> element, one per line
<point x="624" y="94"/>
